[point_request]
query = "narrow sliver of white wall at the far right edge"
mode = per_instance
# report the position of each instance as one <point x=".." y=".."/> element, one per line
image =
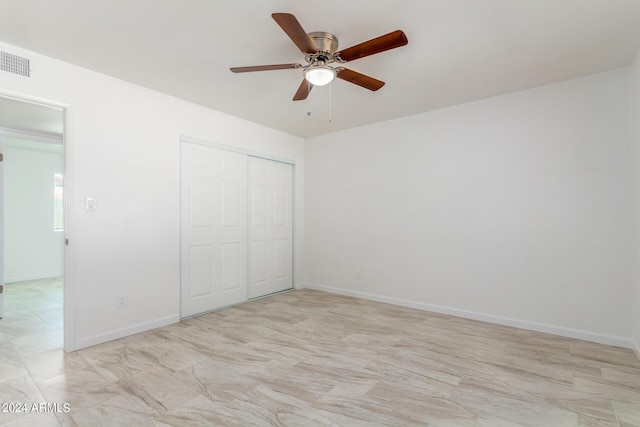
<point x="636" y="157"/>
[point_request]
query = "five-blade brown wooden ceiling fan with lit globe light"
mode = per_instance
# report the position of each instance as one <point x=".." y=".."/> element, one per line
<point x="320" y="49"/>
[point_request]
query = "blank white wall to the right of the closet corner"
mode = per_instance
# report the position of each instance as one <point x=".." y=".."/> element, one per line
<point x="514" y="209"/>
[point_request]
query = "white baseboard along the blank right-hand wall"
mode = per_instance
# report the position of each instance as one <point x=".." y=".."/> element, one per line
<point x="484" y="317"/>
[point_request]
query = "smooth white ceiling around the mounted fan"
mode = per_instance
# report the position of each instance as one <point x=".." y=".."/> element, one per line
<point x="458" y="51"/>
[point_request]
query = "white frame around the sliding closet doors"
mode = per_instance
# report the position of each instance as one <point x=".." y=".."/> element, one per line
<point x="240" y="150"/>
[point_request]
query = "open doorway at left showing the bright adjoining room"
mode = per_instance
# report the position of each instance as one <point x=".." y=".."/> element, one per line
<point x="32" y="233"/>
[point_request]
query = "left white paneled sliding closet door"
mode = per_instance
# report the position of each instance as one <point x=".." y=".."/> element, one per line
<point x="214" y="229"/>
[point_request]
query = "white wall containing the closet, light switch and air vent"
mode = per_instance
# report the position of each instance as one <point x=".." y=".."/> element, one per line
<point x="123" y="147"/>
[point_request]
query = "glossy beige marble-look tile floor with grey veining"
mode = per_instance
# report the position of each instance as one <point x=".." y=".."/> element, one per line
<point x="307" y="358"/>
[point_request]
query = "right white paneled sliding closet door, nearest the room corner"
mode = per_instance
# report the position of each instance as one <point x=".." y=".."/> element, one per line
<point x="270" y="226"/>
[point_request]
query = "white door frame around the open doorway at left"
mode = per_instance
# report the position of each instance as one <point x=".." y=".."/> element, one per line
<point x="68" y="282"/>
